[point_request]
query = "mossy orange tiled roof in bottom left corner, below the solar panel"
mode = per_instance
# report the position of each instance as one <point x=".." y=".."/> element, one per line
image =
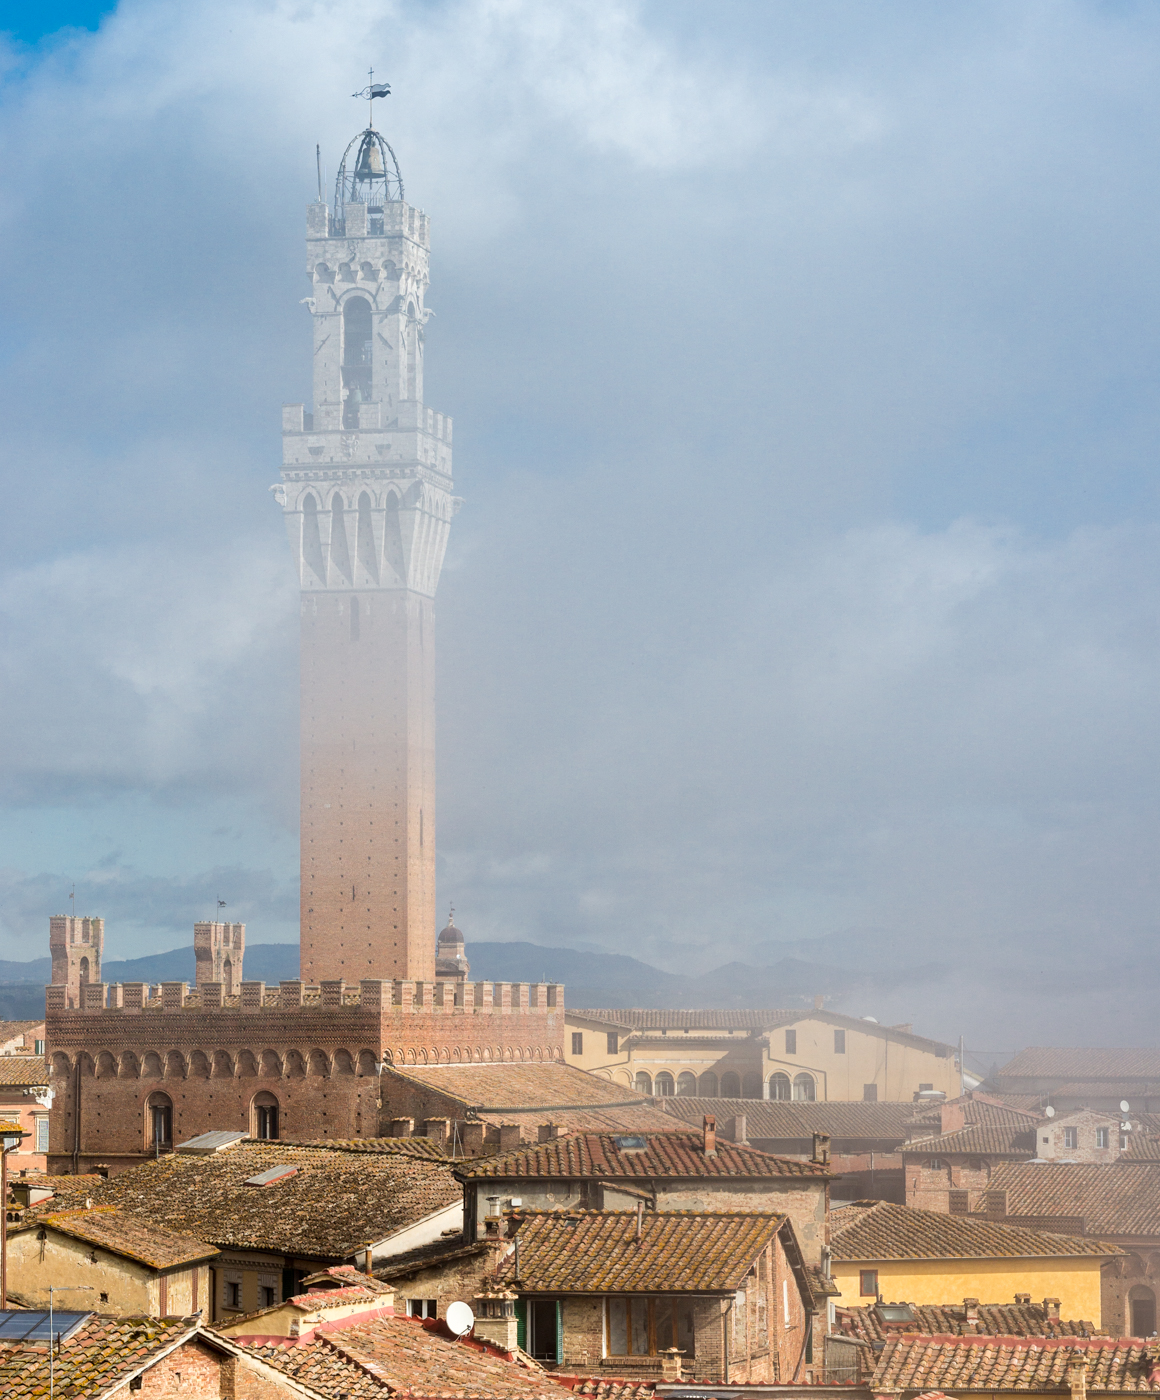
<point x="106" y="1352"/>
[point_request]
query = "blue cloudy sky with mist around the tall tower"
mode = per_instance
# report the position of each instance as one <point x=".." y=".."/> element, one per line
<point x="804" y="366"/>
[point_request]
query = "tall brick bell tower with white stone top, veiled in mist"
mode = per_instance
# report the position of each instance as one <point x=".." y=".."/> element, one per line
<point x="367" y="496"/>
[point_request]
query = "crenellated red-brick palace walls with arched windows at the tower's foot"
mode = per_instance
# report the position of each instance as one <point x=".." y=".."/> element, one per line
<point x="314" y="1053"/>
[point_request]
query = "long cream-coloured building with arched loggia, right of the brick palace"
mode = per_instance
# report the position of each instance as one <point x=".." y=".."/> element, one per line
<point x="761" y="1055"/>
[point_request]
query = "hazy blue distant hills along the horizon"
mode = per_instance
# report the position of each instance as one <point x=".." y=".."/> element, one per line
<point x="591" y="979"/>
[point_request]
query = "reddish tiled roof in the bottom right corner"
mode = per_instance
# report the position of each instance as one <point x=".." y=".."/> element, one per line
<point x="1012" y="1364"/>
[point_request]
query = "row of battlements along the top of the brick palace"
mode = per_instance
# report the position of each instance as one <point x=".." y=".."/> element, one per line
<point x="448" y="997"/>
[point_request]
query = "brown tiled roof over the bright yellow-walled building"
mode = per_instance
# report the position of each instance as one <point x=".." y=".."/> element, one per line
<point x="882" y="1230"/>
